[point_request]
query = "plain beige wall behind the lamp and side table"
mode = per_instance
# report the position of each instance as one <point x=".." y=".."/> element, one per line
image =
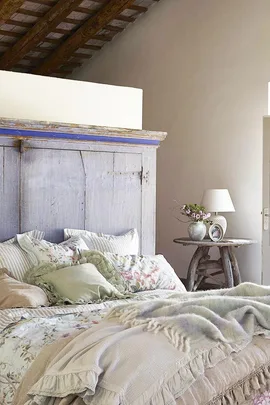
<point x="204" y="66"/>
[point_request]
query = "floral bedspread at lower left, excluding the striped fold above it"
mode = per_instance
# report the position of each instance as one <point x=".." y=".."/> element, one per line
<point x="24" y="341"/>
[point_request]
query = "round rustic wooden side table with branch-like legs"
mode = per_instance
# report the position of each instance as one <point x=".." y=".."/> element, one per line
<point x="202" y="267"/>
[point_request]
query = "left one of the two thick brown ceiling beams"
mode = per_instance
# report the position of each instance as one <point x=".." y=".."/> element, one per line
<point x="38" y="33"/>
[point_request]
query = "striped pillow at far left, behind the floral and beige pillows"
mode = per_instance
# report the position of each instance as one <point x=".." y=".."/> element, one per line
<point x="13" y="258"/>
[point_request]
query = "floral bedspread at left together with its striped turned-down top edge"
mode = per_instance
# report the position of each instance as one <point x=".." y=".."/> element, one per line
<point x="24" y="332"/>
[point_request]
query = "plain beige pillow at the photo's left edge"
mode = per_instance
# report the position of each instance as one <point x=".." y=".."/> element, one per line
<point x="14" y="294"/>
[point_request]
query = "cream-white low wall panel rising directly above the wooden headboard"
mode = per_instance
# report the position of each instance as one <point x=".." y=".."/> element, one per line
<point x="43" y="98"/>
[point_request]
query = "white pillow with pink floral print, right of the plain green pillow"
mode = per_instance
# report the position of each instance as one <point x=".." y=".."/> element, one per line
<point x="142" y="273"/>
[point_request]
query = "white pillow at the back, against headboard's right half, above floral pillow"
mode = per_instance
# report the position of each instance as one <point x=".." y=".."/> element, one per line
<point x="127" y="244"/>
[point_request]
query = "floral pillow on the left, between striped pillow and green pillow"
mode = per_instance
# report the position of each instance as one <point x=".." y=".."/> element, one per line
<point x="65" y="253"/>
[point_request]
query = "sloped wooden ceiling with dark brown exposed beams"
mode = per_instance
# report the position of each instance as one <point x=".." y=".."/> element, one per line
<point x="53" y="37"/>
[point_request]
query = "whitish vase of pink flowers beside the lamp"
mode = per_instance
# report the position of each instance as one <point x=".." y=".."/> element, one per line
<point x="198" y="217"/>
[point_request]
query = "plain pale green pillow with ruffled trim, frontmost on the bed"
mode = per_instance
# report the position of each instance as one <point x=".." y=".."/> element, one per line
<point x="79" y="284"/>
